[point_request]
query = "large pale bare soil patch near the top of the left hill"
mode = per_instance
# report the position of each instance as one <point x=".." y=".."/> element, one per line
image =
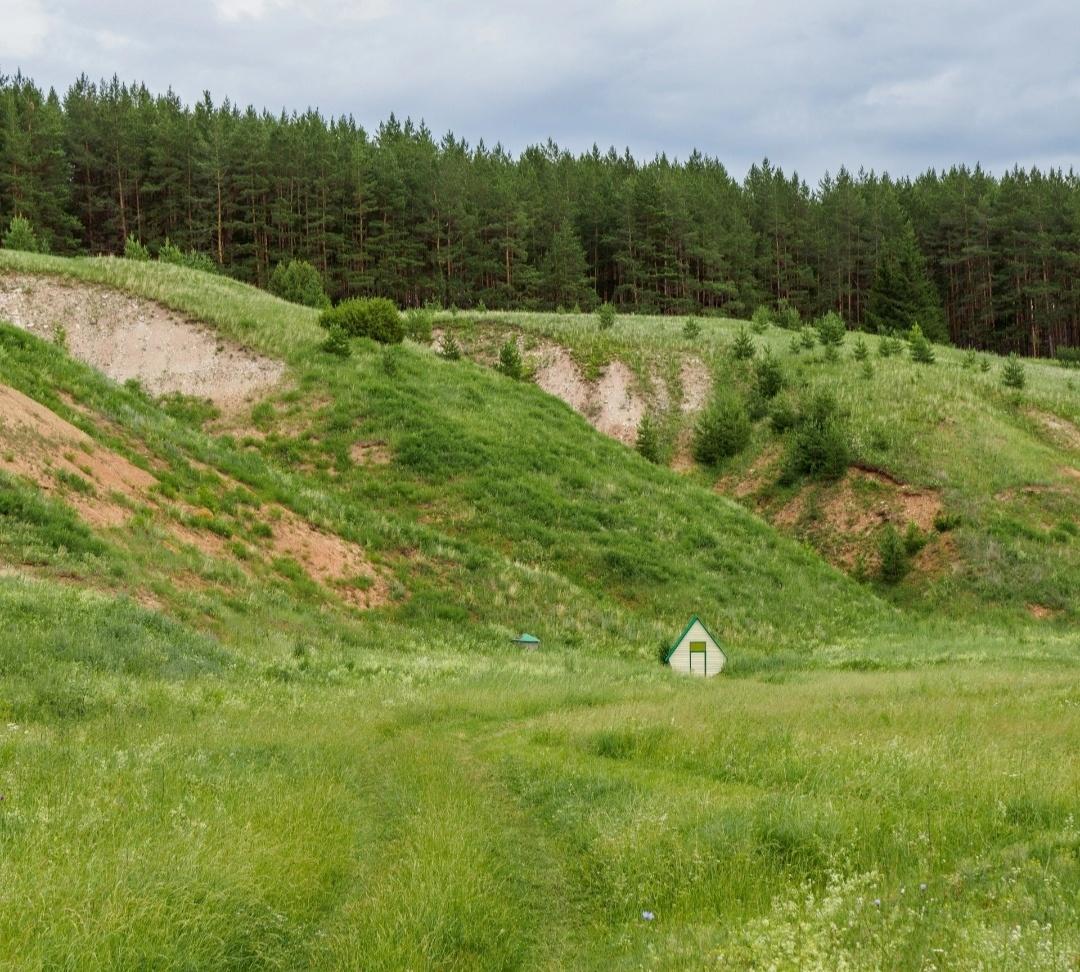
<point x="129" y="337"/>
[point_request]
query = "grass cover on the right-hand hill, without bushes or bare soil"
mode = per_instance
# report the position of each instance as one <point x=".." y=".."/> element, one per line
<point x="1000" y="466"/>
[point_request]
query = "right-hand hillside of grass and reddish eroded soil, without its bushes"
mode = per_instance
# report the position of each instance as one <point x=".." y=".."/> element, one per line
<point x="998" y="468"/>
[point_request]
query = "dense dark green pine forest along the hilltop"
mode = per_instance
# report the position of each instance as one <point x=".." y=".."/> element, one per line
<point x="984" y="262"/>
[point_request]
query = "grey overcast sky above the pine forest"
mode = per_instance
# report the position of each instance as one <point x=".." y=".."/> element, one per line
<point x="811" y="84"/>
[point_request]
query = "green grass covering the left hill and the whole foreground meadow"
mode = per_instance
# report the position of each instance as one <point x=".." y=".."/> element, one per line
<point x="259" y="778"/>
